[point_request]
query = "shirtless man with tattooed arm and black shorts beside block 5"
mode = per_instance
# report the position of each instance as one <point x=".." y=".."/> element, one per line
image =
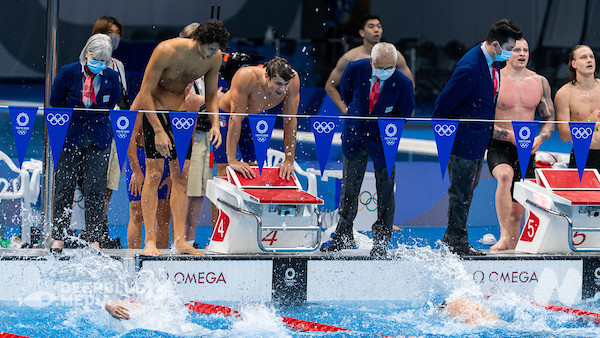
<point x="522" y="92"/>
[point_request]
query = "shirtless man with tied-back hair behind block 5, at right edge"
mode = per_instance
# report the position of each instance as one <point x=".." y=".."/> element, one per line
<point x="579" y="100"/>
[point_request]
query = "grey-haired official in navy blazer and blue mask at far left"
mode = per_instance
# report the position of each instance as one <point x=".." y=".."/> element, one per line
<point x="84" y="157"/>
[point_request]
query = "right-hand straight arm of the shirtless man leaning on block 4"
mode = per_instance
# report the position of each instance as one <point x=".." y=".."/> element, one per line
<point x="290" y="124"/>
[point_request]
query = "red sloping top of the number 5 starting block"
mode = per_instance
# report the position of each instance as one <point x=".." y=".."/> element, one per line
<point x="565" y="183"/>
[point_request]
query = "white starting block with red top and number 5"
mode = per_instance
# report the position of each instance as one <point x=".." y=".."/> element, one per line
<point x="563" y="214"/>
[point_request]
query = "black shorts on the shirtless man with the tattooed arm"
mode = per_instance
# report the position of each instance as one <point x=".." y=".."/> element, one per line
<point x="503" y="152"/>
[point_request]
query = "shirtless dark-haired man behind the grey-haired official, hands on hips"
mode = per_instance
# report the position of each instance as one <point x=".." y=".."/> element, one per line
<point x="371" y="32"/>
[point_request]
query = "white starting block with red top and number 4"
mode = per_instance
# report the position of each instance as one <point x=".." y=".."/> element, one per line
<point x="263" y="214"/>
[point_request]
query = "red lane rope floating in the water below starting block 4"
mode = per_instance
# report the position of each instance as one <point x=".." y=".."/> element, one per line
<point x="293" y="323"/>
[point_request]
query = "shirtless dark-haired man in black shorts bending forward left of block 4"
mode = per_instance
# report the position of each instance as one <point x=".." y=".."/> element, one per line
<point x="174" y="64"/>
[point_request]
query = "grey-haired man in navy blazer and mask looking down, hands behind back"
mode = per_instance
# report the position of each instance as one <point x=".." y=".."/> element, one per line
<point x="361" y="140"/>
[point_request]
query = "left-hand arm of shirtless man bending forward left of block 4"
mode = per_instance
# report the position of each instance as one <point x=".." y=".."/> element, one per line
<point x="159" y="61"/>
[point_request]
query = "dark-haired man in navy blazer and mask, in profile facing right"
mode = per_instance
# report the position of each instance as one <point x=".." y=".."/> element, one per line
<point x="471" y="93"/>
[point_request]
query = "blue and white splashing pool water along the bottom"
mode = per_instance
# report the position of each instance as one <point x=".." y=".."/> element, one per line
<point x="159" y="310"/>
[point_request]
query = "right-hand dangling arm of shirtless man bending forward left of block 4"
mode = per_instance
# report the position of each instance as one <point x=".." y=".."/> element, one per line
<point x="211" y="79"/>
